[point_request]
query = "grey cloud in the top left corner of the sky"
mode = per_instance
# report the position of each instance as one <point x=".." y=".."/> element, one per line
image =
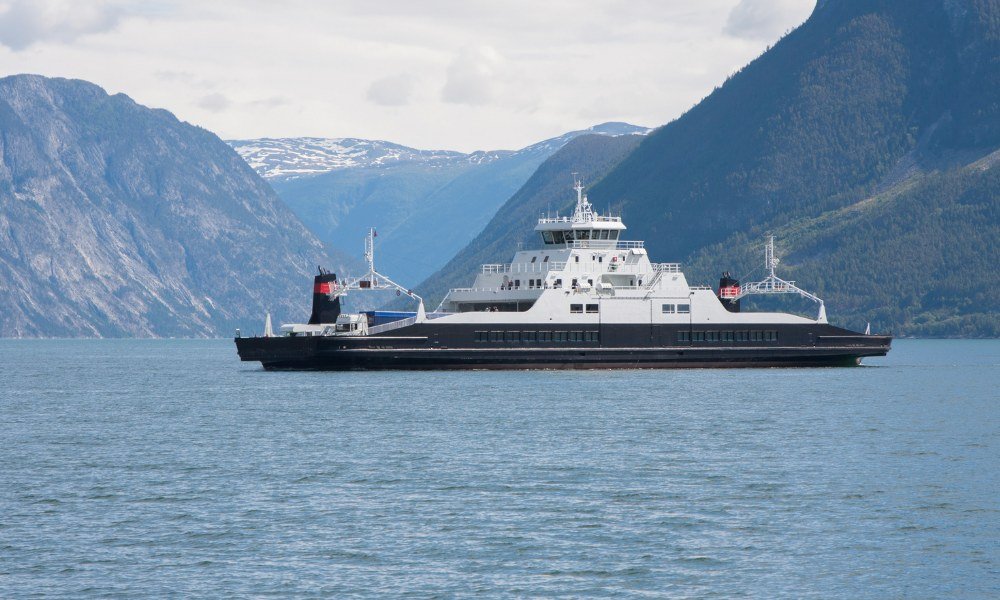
<point x="27" y="22"/>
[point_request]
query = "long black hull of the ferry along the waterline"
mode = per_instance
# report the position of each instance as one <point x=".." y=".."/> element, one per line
<point x="438" y="347"/>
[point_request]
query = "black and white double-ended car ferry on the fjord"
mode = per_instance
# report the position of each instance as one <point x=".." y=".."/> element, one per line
<point x="584" y="298"/>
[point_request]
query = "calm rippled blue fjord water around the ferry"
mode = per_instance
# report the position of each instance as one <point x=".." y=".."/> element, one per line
<point x="152" y="468"/>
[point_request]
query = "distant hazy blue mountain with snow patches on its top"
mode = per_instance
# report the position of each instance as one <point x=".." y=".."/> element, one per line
<point x="426" y="205"/>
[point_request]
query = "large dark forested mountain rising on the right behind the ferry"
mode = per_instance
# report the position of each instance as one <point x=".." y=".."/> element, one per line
<point x="866" y="140"/>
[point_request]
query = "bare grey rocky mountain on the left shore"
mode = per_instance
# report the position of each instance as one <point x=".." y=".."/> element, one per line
<point x="120" y="220"/>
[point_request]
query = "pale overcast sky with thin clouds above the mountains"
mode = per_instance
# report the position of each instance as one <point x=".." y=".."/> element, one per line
<point x="461" y="75"/>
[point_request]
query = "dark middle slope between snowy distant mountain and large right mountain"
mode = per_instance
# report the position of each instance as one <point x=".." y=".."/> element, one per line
<point x="548" y="189"/>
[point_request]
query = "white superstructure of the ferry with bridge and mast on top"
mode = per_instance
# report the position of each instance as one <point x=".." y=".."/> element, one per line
<point x="584" y="272"/>
